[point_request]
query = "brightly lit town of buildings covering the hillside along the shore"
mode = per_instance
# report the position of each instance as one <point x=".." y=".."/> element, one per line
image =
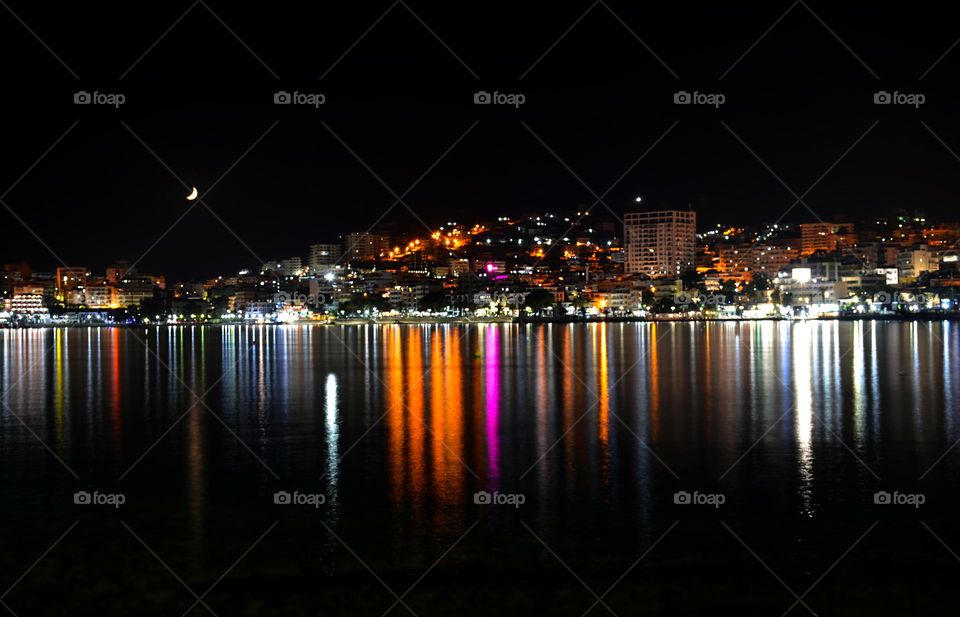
<point x="652" y="264"/>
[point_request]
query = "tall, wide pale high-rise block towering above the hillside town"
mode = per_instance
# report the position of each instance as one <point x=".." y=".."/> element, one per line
<point x="661" y="243"/>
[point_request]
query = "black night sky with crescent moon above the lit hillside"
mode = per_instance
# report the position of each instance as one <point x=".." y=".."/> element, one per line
<point x="400" y="98"/>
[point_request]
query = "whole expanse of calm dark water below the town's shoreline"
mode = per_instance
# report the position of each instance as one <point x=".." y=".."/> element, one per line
<point x="794" y="425"/>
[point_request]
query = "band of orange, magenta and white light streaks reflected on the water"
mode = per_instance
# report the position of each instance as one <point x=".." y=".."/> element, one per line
<point x="422" y="416"/>
